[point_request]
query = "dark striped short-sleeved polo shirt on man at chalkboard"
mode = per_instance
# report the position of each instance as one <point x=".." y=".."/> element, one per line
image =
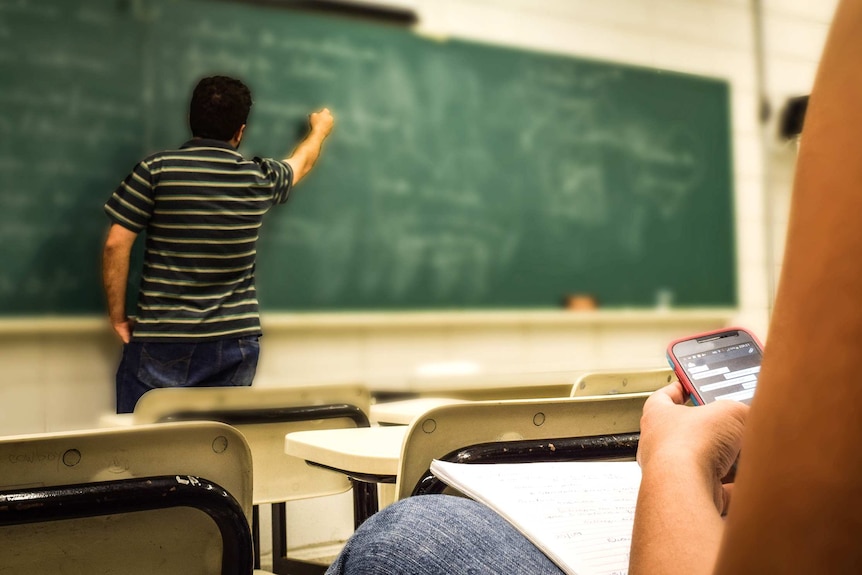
<point x="202" y="207"/>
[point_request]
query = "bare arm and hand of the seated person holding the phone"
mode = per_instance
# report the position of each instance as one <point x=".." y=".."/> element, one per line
<point x="796" y="501"/>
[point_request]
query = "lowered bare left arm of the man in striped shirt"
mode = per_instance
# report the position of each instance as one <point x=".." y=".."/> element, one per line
<point x="115" y="277"/>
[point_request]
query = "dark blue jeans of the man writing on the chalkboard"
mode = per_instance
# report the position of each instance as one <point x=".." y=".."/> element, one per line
<point x="150" y="365"/>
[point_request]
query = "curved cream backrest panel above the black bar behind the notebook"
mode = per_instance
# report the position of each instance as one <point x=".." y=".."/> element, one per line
<point x="444" y="429"/>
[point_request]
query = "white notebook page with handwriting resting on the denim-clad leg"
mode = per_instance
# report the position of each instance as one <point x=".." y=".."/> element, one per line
<point x="579" y="513"/>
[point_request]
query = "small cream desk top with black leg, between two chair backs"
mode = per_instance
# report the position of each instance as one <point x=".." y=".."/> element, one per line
<point x="367" y="455"/>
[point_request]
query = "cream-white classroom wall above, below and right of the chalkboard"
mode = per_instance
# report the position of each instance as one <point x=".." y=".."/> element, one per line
<point x="55" y="378"/>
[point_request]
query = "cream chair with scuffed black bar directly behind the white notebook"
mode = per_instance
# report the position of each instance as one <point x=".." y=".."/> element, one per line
<point x="583" y="427"/>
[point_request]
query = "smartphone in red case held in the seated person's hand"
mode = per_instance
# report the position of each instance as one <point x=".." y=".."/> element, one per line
<point x="721" y="364"/>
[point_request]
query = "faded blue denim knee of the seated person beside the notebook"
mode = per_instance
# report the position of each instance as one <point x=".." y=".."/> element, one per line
<point x="439" y="535"/>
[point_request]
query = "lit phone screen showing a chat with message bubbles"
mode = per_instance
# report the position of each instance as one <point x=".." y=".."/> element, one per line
<point x="724" y="372"/>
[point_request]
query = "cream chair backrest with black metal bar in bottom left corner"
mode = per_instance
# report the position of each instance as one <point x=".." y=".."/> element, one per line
<point x="102" y="483"/>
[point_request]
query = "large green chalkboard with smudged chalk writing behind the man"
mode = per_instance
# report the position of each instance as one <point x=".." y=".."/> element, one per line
<point x="460" y="175"/>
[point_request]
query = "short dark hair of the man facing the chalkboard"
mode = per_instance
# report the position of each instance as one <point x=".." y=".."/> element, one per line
<point x="219" y="106"/>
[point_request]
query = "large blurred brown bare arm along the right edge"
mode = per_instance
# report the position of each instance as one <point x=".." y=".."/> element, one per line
<point x="797" y="503"/>
